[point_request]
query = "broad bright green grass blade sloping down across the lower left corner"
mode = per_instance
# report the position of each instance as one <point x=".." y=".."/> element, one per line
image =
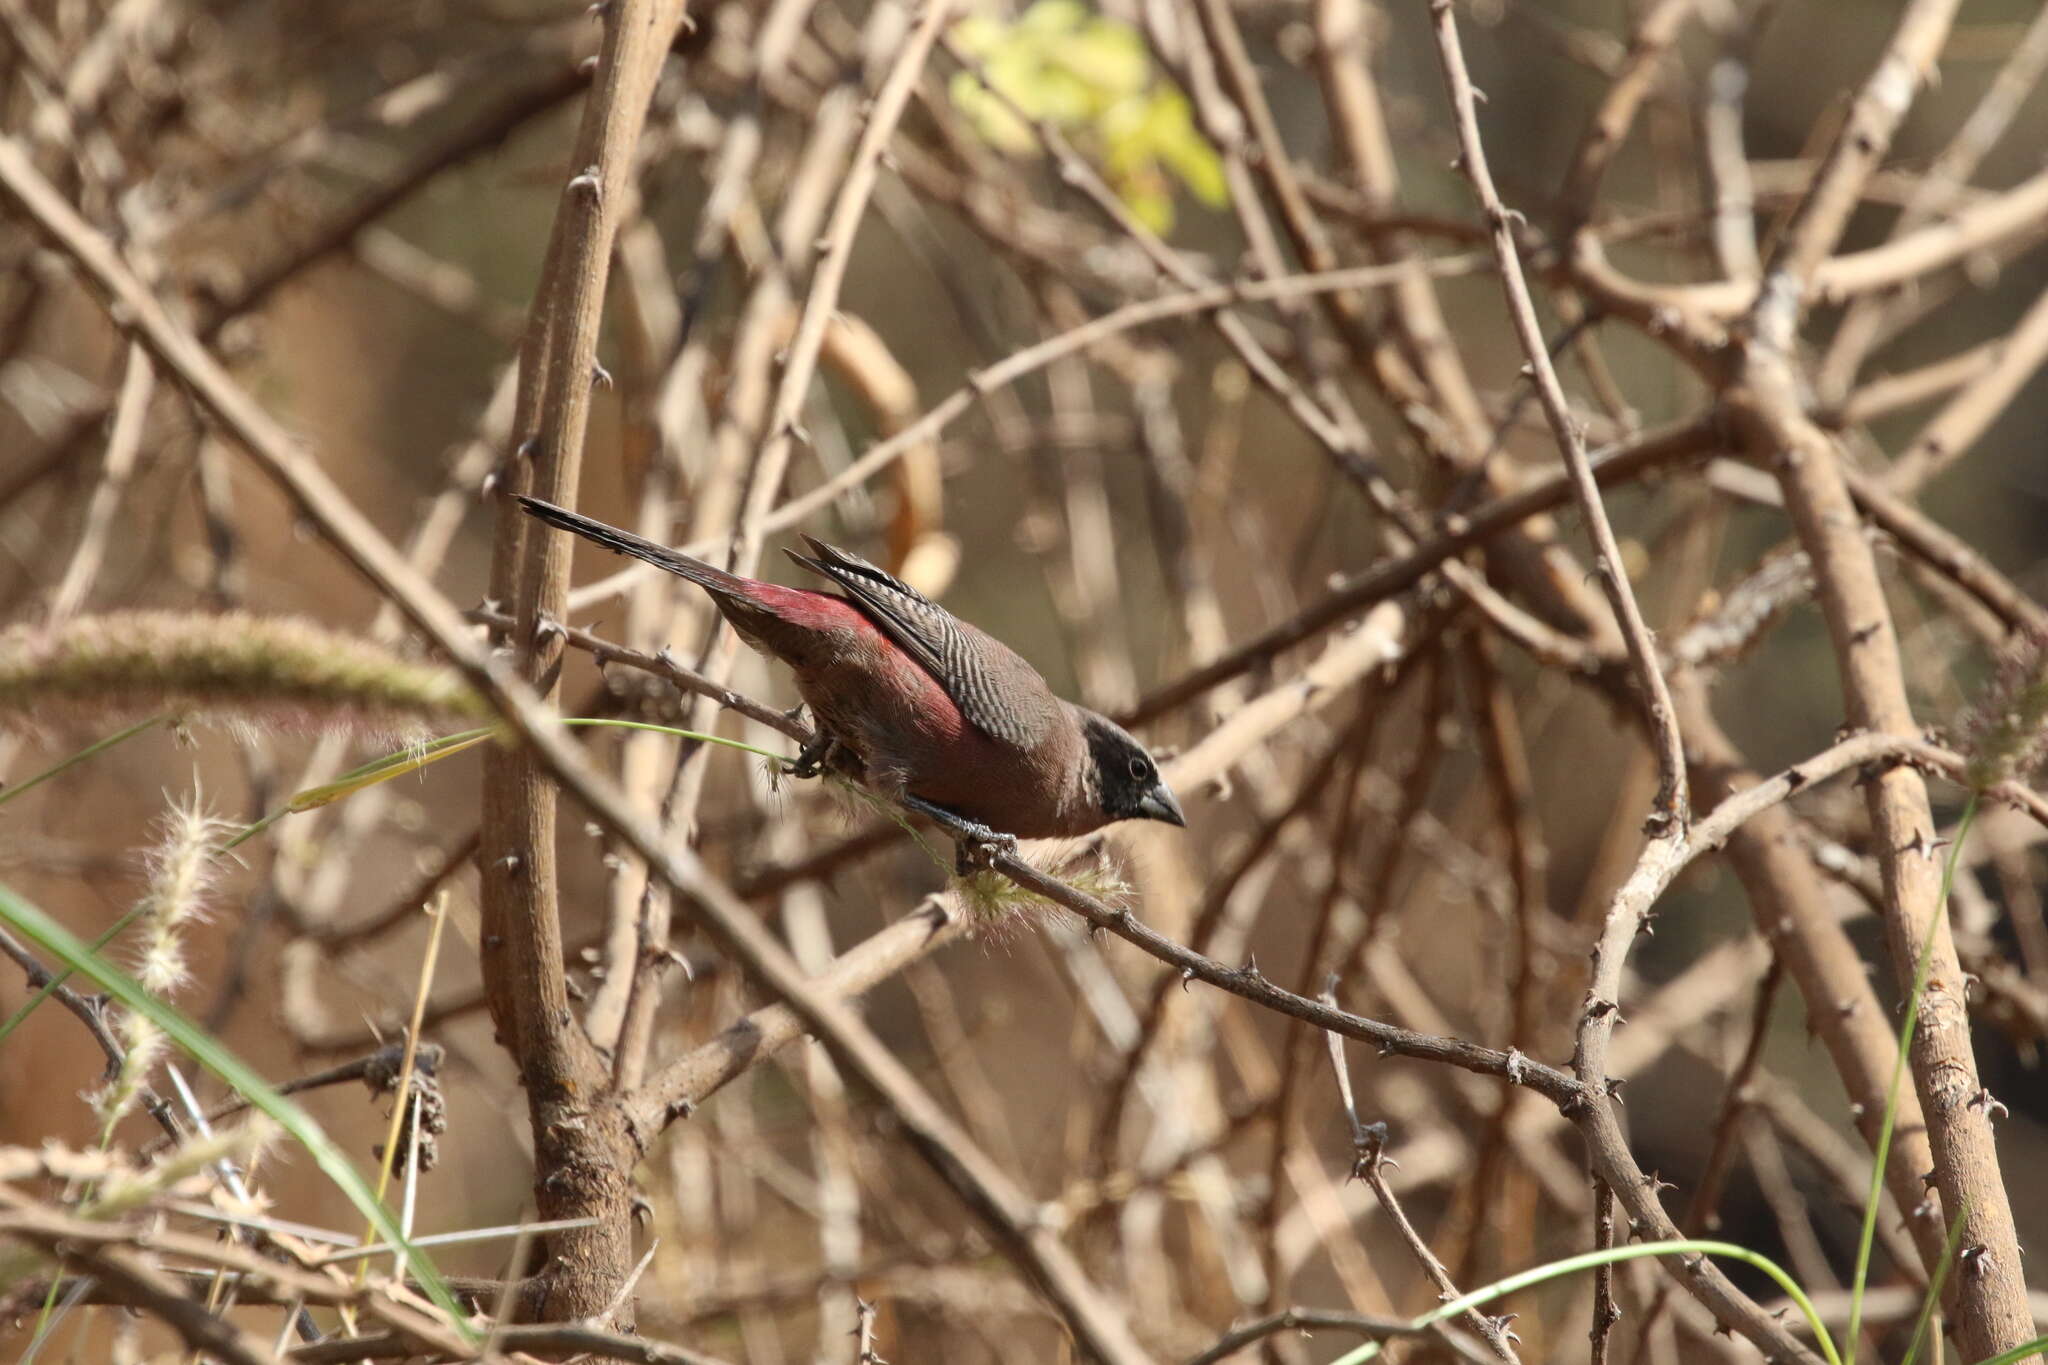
<point x="204" y="1049"/>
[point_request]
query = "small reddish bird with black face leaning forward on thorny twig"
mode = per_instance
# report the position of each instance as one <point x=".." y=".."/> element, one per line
<point x="935" y="713"/>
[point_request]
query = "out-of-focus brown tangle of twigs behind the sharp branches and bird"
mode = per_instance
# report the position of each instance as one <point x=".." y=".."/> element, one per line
<point x="351" y="204"/>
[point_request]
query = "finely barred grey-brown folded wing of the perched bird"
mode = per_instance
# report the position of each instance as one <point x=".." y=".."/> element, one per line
<point x="951" y="652"/>
